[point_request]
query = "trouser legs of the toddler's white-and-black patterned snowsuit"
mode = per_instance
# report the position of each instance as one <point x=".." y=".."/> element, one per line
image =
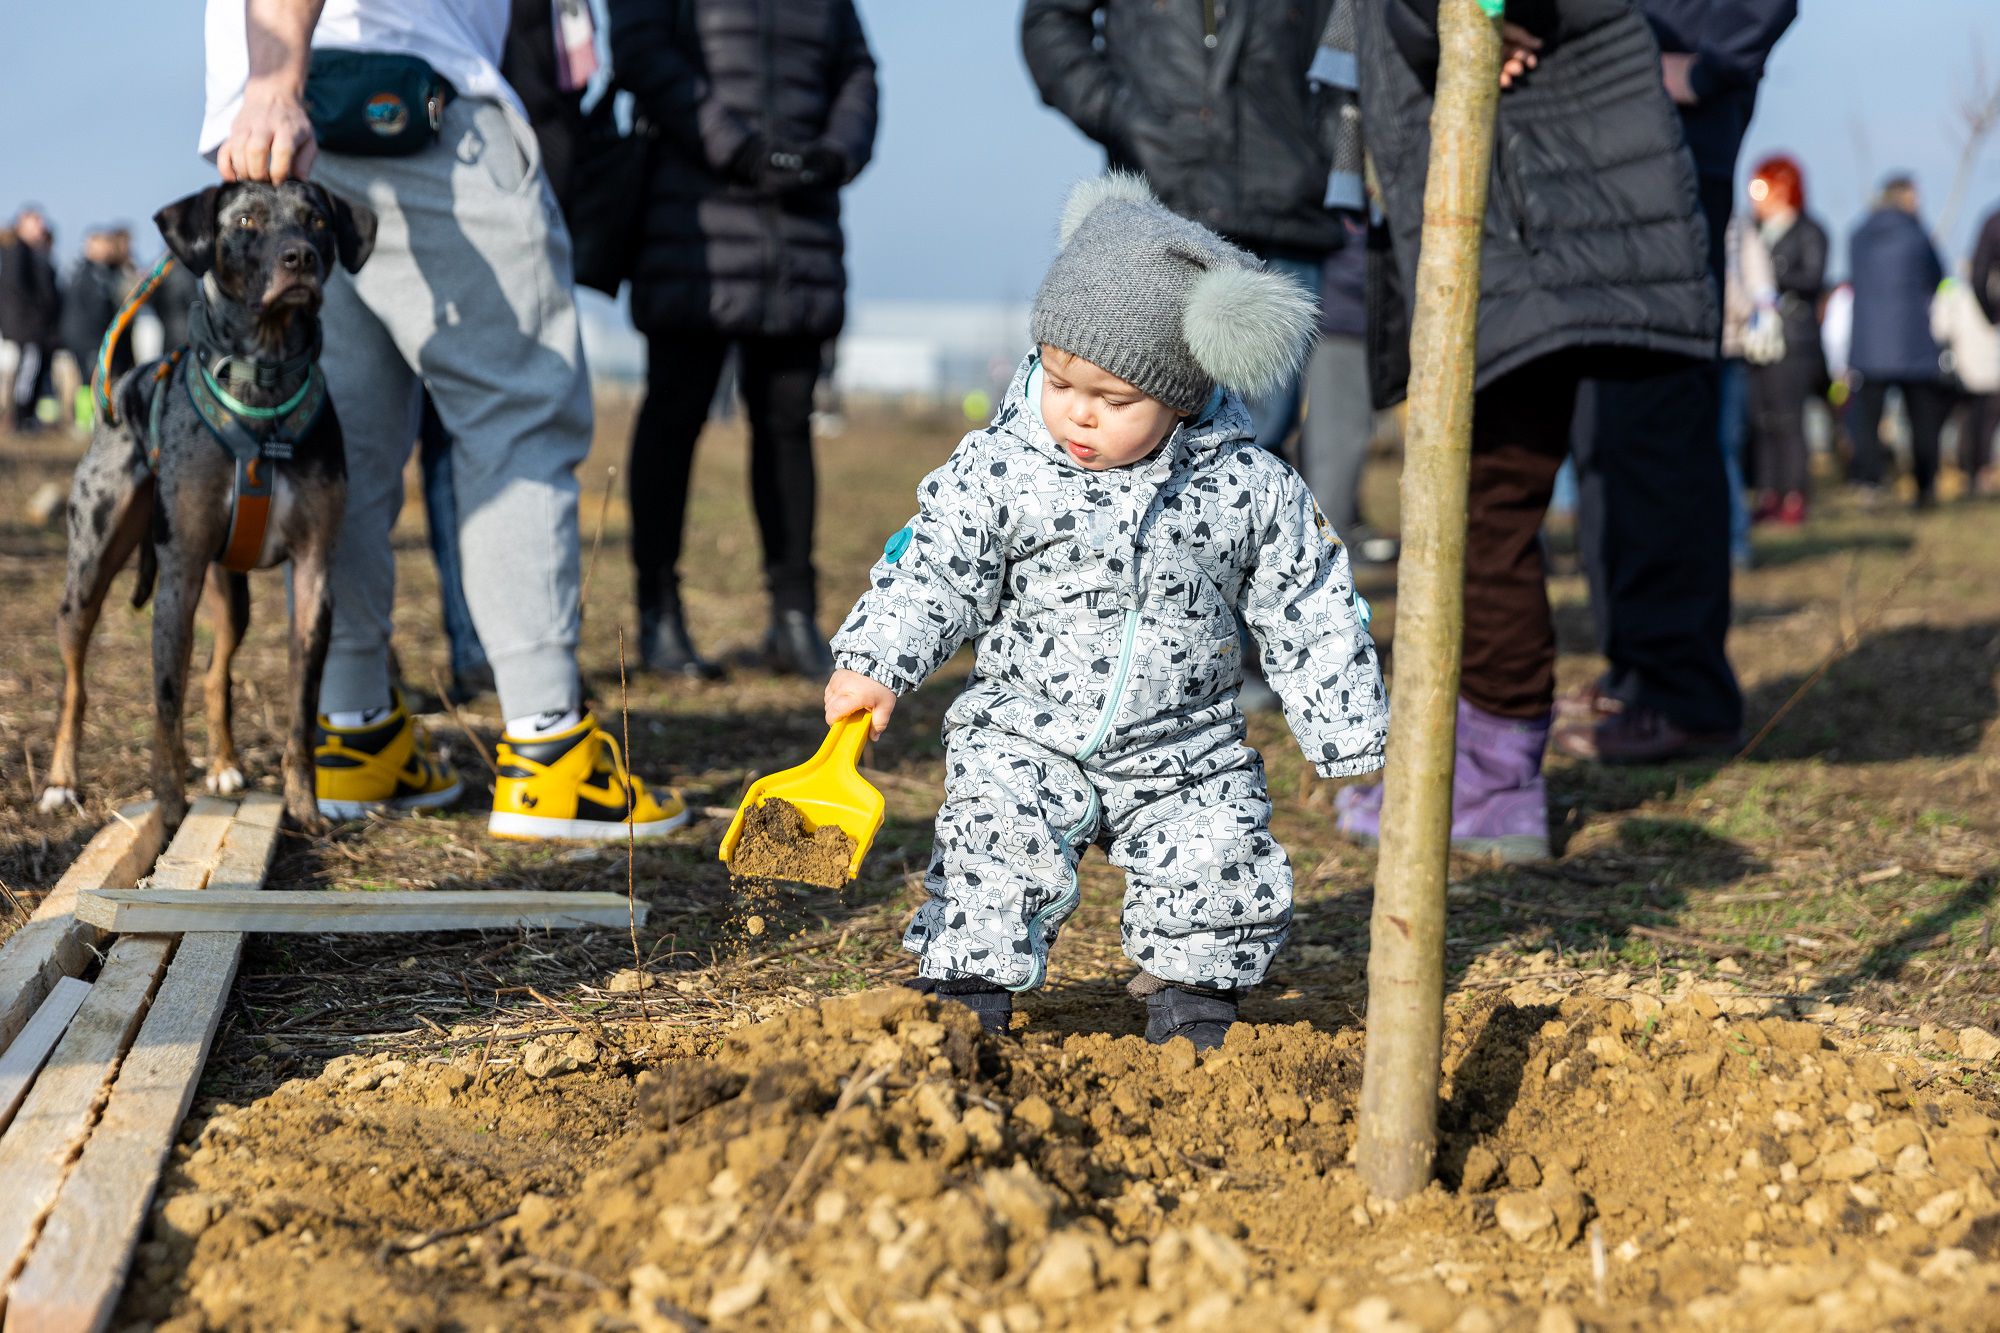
<point x="1209" y="890"/>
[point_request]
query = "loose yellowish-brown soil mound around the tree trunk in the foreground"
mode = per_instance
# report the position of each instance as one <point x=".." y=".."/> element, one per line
<point x="877" y="1162"/>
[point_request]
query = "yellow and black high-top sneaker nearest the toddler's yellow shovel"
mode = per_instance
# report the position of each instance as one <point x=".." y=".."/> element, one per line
<point x="575" y="786"/>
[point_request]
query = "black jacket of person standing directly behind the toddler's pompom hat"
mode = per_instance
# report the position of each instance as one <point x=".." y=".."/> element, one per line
<point x="1211" y="111"/>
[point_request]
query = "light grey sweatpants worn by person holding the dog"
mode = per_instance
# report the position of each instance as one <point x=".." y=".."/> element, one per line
<point x="467" y="293"/>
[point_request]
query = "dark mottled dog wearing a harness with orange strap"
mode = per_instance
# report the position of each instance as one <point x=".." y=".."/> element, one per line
<point x="227" y="453"/>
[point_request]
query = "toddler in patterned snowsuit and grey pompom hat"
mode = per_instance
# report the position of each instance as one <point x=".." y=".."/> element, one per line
<point x="1097" y="543"/>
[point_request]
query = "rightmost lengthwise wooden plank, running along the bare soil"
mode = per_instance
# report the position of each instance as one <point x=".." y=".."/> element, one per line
<point x="81" y="1262"/>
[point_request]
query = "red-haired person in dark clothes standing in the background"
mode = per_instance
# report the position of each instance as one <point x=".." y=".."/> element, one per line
<point x="1779" y="389"/>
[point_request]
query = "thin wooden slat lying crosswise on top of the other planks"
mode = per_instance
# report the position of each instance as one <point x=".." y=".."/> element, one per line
<point x="311" y="912"/>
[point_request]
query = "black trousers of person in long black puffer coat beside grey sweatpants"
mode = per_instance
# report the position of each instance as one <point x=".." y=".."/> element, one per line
<point x="779" y="377"/>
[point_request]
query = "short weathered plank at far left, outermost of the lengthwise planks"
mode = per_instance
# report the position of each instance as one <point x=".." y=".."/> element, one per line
<point x="53" y="944"/>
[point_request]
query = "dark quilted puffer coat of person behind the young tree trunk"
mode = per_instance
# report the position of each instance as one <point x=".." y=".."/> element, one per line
<point x="1593" y="225"/>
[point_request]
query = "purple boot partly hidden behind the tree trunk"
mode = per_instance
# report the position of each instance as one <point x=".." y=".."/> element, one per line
<point x="1499" y="800"/>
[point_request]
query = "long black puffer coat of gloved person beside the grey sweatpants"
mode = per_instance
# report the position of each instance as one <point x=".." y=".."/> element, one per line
<point x="723" y="249"/>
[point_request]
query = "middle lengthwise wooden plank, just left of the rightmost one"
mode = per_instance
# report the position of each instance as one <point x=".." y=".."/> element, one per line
<point x="63" y="1106"/>
